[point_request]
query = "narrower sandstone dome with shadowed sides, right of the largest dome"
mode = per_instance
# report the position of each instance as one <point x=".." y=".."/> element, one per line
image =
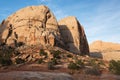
<point x="73" y="35"/>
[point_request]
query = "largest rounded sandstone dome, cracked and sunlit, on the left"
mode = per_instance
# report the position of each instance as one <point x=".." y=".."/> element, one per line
<point x="31" y="25"/>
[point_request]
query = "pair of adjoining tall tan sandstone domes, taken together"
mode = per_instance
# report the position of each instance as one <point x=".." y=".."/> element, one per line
<point x="36" y="25"/>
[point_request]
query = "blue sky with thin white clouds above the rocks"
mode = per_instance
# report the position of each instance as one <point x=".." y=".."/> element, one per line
<point x="100" y="18"/>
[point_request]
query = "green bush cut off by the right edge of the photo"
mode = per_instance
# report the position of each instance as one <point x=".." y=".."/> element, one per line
<point x="114" y="67"/>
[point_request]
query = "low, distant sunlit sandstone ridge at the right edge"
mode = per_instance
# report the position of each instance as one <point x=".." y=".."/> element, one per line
<point x="106" y="50"/>
